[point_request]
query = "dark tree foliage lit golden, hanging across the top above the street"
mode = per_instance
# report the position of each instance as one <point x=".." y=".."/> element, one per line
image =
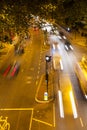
<point x="15" y="14"/>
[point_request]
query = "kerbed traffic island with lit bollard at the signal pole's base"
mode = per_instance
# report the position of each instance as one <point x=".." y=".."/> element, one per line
<point x="44" y="93"/>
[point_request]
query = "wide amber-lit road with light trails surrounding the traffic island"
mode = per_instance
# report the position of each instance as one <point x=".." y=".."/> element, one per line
<point x="17" y="94"/>
